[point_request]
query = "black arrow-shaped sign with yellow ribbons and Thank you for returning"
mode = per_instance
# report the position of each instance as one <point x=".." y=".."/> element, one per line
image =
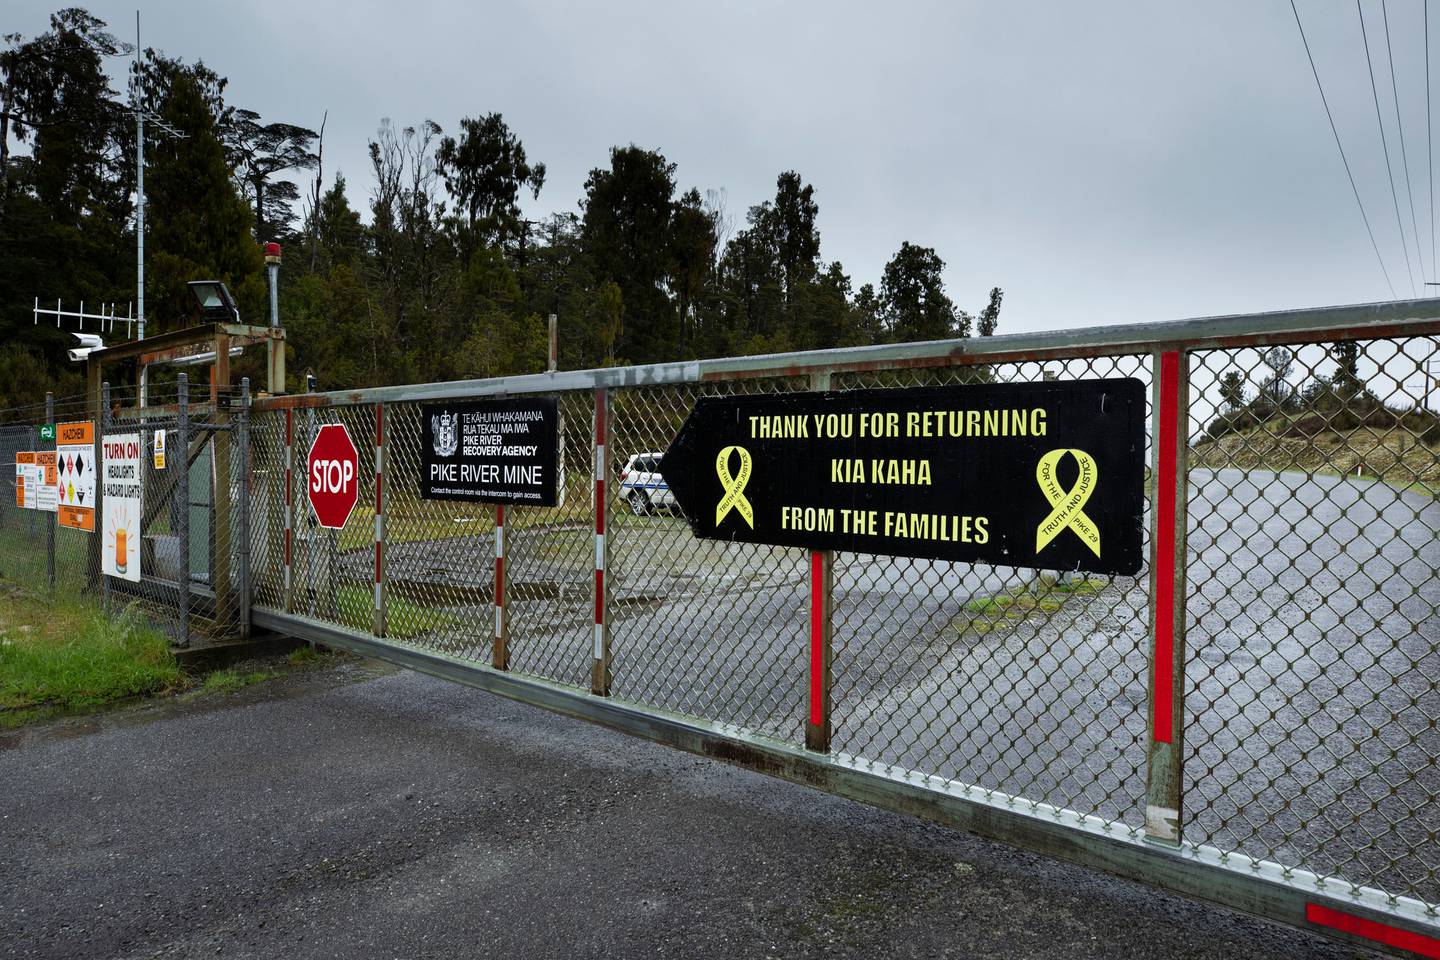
<point x="1043" y="476"/>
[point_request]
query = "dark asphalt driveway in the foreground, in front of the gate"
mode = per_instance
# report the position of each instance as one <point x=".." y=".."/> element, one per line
<point x="354" y="812"/>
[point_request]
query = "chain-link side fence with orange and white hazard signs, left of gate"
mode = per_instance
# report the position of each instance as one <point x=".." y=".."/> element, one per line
<point x="102" y="515"/>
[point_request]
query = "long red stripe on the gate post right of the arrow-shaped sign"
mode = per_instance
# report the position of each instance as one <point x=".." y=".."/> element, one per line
<point x="1166" y="484"/>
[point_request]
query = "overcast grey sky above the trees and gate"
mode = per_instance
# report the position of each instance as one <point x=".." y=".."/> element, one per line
<point x="1101" y="162"/>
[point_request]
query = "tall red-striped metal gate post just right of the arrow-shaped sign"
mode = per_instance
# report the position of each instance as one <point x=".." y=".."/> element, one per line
<point x="1167" y="683"/>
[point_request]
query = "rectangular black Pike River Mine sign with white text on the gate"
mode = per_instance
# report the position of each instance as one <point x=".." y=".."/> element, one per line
<point x="490" y="451"/>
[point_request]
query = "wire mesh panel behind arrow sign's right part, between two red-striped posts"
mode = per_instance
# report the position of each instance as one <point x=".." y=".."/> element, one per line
<point x="1013" y="680"/>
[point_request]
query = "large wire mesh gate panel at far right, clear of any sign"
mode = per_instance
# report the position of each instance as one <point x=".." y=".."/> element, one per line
<point x="1313" y="673"/>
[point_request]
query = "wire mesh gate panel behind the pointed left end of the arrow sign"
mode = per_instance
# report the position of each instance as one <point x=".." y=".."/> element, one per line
<point x="705" y="628"/>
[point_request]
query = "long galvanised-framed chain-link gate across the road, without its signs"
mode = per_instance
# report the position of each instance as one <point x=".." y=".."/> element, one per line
<point x="1282" y="764"/>
